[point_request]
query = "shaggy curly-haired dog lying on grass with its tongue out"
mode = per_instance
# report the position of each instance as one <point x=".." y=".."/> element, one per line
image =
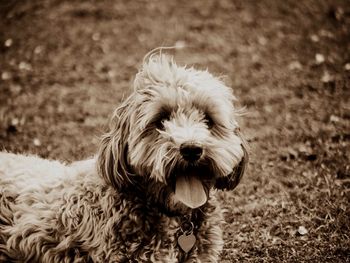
<point x="148" y="196"/>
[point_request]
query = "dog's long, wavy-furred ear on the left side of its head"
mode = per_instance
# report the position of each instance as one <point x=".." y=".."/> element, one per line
<point x="112" y="161"/>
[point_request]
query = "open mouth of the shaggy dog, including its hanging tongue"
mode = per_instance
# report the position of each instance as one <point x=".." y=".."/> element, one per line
<point x="192" y="187"/>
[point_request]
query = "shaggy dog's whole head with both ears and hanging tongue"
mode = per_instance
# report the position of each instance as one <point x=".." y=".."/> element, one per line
<point x="177" y="134"/>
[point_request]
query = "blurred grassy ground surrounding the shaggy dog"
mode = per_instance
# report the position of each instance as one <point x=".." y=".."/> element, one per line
<point x="65" y="65"/>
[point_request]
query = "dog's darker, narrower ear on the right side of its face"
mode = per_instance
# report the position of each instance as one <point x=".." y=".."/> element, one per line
<point x="230" y="181"/>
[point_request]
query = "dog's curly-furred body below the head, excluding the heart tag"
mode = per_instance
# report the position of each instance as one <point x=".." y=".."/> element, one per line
<point x="56" y="213"/>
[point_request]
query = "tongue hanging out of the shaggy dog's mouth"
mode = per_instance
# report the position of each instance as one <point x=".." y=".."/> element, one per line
<point x="190" y="191"/>
